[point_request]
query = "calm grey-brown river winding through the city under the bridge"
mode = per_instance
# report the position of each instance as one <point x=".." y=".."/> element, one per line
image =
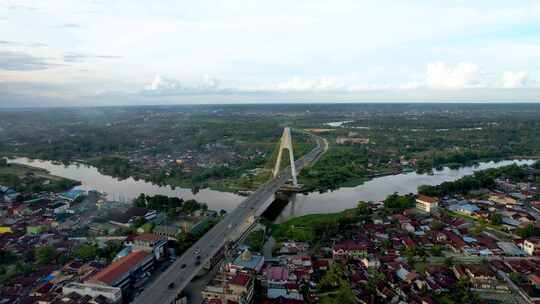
<point x="333" y="201"/>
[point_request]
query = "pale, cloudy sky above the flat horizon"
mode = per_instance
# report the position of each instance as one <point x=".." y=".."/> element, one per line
<point x="115" y="52"/>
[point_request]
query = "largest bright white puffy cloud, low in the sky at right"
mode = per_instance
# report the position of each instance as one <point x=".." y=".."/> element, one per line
<point x="463" y="75"/>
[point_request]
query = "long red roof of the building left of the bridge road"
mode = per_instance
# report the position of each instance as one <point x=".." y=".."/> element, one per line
<point x="119" y="267"/>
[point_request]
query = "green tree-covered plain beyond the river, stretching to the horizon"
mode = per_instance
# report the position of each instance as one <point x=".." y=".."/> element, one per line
<point x="219" y="146"/>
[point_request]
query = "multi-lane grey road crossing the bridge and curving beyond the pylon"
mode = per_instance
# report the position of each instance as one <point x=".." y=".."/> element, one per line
<point x="171" y="282"/>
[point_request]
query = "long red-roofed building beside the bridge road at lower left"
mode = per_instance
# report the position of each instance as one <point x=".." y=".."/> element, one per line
<point x="124" y="271"/>
